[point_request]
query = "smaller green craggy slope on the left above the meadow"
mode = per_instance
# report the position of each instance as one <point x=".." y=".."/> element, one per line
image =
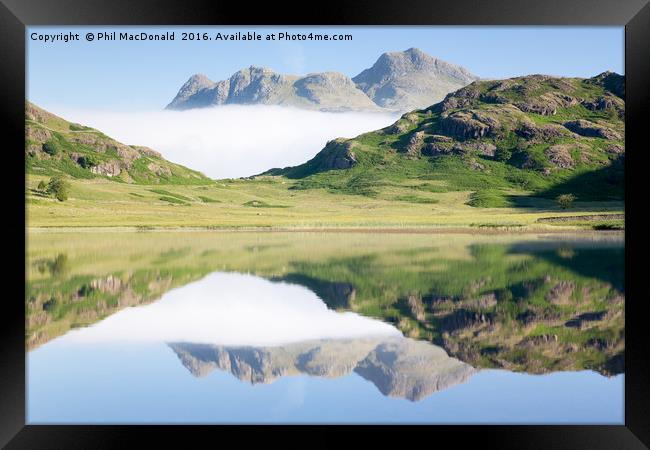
<point x="54" y="145"/>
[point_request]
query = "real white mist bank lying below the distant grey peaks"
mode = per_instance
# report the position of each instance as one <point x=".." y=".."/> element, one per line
<point x="234" y="140"/>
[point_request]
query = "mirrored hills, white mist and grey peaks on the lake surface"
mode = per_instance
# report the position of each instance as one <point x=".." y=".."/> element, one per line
<point x="412" y="314"/>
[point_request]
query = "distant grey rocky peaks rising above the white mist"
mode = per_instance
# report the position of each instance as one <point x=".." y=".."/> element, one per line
<point x="398" y="81"/>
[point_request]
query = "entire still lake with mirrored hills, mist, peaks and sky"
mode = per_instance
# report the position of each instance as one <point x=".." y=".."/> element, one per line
<point x="337" y="327"/>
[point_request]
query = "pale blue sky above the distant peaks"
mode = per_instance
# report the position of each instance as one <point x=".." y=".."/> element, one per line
<point x="120" y="75"/>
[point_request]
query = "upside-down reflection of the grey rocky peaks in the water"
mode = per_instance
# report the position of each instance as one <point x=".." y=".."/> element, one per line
<point x="398" y="367"/>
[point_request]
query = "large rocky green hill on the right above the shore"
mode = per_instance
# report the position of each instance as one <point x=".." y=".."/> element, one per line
<point x="536" y="134"/>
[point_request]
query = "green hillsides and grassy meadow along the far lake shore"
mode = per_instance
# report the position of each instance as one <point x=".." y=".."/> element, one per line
<point x="495" y="153"/>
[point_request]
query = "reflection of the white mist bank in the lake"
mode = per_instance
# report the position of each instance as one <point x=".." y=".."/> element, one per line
<point x="232" y="309"/>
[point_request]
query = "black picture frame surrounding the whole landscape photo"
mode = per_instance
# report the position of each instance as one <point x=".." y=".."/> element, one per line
<point x="15" y="15"/>
